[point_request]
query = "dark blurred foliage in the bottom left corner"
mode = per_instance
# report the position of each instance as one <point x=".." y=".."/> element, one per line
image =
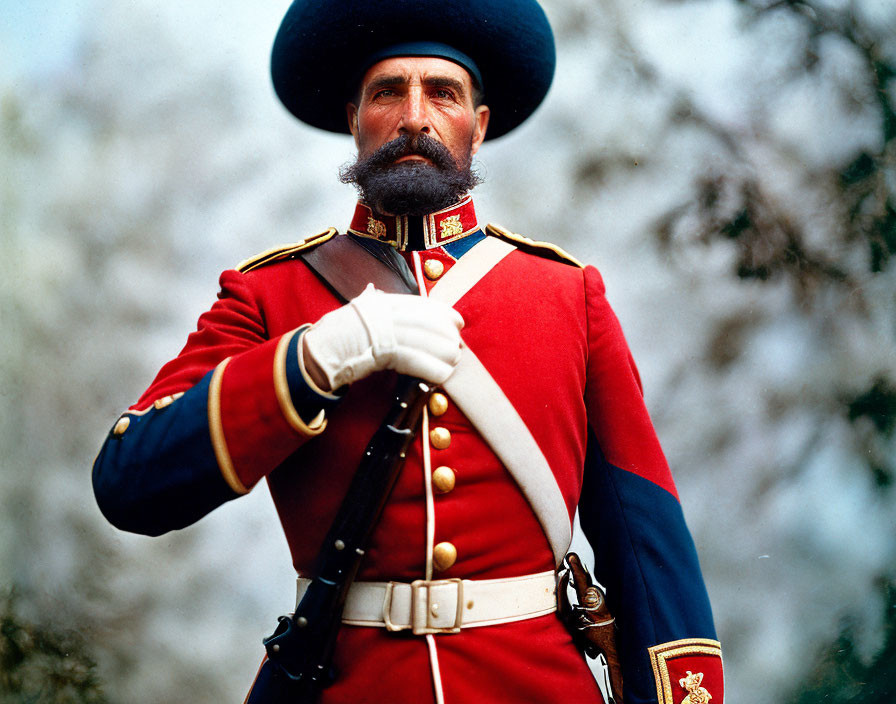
<point x="43" y="664"/>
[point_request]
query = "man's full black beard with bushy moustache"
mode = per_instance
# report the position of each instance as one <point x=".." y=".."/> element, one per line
<point x="411" y="187"/>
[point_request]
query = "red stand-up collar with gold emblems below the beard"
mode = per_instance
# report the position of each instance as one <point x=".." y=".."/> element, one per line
<point x="439" y="228"/>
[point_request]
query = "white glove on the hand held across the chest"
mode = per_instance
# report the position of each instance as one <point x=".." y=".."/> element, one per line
<point x="413" y="335"/>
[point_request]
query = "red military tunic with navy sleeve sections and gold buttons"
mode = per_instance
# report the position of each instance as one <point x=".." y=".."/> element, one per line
<point x="548" y="378"/>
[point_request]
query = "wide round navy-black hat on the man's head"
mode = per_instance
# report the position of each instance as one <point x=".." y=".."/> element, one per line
<point x="324" y="46"/>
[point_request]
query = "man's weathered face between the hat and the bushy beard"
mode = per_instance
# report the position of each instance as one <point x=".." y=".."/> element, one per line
<point x="412" y="95"/>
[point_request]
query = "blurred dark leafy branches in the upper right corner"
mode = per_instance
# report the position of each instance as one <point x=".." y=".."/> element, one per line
<point x="772" y="242"/>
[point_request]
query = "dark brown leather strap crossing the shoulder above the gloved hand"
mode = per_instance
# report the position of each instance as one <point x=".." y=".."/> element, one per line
<point x="348" y="265"/>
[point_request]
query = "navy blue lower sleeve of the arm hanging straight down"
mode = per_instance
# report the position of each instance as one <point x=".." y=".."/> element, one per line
<point x="646" y="559"/>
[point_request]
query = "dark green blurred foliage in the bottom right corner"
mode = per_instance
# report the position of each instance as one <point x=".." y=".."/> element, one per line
<point x="842" y="676"/>
